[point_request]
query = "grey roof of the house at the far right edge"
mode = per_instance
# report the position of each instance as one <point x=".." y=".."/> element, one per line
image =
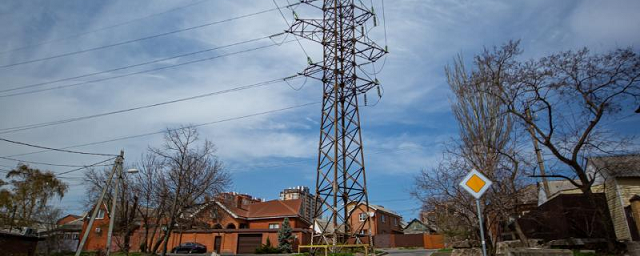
<point x="619" y="166"/>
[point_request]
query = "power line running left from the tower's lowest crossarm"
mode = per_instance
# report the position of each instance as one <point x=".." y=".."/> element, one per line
<point x="45" y="124"/>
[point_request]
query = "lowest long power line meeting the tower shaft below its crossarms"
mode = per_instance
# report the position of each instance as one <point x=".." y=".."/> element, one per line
<point x="163" y="131"/>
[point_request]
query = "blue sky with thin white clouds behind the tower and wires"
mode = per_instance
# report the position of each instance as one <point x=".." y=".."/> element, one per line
<point x="403" y="134"/>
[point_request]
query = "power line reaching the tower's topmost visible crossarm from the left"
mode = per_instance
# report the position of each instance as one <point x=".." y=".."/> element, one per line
<point x="136" y="40"/>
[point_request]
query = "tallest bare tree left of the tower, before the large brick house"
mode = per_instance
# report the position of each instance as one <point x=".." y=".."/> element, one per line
<point x="192" y="172"/>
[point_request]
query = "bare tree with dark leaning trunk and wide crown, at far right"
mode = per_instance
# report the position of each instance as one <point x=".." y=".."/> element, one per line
<point x="565" y="99"/>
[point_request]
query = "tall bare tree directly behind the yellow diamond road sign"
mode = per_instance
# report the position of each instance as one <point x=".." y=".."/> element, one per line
<point x="487" y="142"/>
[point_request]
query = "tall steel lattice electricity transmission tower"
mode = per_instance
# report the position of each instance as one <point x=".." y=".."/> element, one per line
<point x="341" y="181"/>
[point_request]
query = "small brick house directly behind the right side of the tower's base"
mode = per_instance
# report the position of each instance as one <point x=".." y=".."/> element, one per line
<point x="383" y="220"/>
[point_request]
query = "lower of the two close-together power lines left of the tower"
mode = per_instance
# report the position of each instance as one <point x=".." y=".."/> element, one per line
<point x="140" y="72"/>
